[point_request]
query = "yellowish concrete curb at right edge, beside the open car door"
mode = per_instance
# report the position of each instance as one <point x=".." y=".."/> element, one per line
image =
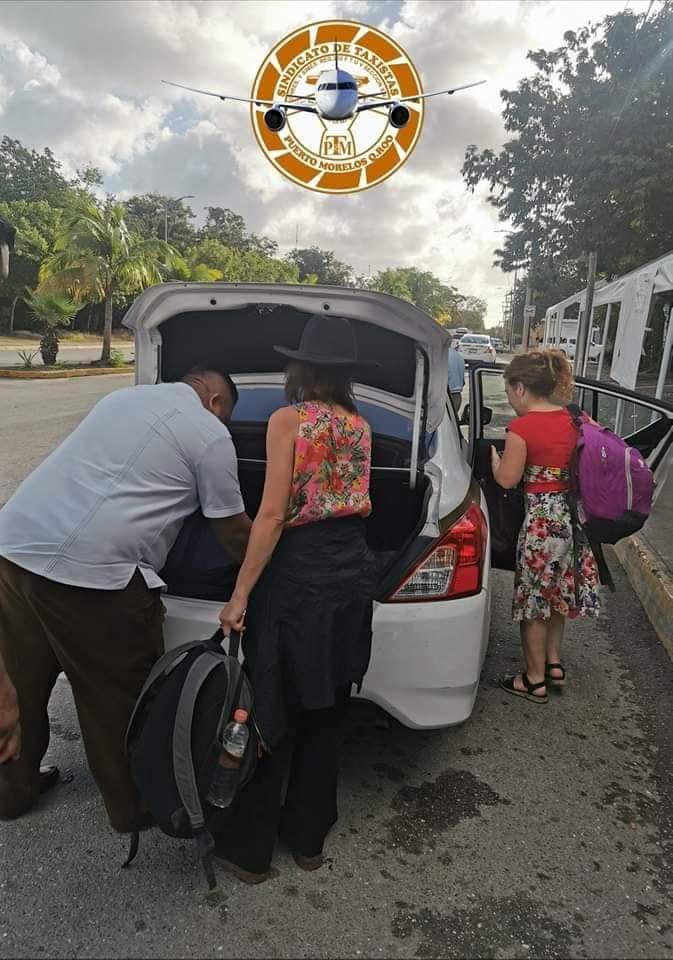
<point x="652" y="583"/>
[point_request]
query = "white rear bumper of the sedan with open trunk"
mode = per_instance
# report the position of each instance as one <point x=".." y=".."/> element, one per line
<point x="426" y="657"/>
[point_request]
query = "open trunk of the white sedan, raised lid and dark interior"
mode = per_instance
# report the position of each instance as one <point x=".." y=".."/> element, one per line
<point x="235" y="327"/>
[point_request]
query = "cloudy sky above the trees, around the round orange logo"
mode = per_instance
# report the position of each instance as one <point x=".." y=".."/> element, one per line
<point x="84" y="79"/>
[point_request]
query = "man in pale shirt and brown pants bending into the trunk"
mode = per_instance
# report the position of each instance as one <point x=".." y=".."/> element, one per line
<point x="82" y="542"/>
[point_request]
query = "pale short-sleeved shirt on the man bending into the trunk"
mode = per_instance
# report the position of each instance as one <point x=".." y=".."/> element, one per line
<point x="112" y="498"/>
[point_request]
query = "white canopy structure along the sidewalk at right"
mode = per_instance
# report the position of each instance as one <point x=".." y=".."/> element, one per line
<point x="633" y="293"/>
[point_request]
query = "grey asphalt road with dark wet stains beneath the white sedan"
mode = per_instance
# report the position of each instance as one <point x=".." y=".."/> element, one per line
<point x="530" y="831"/>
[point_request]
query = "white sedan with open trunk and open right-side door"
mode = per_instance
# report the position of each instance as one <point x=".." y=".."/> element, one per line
<point x="429" y="528"/>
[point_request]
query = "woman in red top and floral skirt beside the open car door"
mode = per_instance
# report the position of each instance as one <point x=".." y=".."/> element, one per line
<point x="556" y="572"/>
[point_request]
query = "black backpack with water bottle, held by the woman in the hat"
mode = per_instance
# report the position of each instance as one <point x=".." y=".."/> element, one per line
<point x="173" y="739"/>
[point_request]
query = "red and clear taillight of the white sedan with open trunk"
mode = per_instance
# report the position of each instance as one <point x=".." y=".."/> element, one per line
<point x="453" y="567"/>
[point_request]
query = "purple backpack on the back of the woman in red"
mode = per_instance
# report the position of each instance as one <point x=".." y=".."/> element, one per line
<point x="613" y="482"/>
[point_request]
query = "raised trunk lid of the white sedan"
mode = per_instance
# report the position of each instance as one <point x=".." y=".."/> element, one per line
<point x="179" y="325"/>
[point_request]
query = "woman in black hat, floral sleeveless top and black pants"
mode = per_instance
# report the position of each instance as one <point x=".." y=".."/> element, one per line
<point x="308" y="622"/>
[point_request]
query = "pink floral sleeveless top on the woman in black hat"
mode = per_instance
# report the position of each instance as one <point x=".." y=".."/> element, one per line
<point x="332" y="464"/>
